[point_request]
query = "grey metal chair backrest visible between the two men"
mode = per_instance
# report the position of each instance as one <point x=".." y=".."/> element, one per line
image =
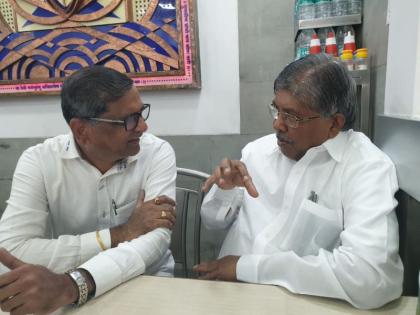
<point x="185" y="243"/>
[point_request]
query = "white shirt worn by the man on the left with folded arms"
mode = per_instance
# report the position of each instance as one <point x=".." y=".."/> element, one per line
<point x="58" y="200"/>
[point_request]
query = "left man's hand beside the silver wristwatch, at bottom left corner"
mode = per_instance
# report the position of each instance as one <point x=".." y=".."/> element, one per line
<point x="33" y="289"/>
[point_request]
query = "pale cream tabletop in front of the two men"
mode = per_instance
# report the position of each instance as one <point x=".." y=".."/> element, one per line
<point x="157" y="295"/>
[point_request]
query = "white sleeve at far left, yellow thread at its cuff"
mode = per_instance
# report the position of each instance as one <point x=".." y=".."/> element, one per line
<point x="24" y="226"/>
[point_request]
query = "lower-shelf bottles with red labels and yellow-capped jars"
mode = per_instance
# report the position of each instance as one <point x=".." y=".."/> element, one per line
<point x="340" y="43"/>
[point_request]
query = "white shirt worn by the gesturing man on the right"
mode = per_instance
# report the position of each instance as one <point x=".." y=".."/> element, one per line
<point x="345" y="245"/>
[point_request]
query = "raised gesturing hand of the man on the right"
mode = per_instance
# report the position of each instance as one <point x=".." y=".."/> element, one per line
<point x="229" y="174"/>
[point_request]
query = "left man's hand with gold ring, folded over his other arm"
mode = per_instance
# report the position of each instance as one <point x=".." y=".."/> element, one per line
<point x="146" y="216"/>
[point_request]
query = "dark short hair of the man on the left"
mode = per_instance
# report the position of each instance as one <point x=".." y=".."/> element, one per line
<point x="87" y="92"/>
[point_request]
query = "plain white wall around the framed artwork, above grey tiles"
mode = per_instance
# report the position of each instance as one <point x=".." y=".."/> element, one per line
<point x="212" y="110"/>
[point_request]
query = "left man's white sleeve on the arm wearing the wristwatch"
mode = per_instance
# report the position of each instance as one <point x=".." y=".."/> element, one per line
<point x="130" y="259"/>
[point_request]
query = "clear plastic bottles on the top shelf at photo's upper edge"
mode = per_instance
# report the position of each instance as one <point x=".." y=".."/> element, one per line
<point x="319" y="9"/>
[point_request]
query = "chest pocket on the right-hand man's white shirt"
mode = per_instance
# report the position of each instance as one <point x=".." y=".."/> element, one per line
<point x="314" y="227"/>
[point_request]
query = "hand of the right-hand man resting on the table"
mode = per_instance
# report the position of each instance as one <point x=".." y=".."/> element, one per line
<point x="220" y="269"/>
